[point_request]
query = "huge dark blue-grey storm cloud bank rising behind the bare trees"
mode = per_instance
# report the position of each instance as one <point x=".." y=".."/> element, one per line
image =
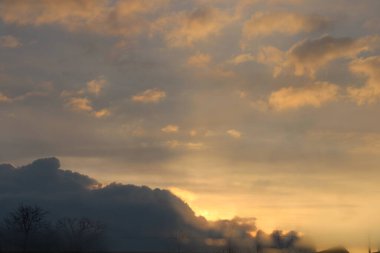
<point x="136" y="217"/>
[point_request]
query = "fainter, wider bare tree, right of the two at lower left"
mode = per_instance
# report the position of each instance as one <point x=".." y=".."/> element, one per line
<point x="80" y="234"/>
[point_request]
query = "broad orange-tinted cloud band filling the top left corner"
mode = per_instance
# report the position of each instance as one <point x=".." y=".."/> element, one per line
<point x="116" y="18"/>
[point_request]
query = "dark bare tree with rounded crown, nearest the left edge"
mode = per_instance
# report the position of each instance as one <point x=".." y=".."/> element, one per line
<point x="26" y="220"/>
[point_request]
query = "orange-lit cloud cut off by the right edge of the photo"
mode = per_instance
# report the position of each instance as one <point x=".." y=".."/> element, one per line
<point x="370" y="92"/>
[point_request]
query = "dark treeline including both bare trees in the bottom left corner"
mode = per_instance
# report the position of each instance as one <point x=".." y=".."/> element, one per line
<point x="28" y="229"/>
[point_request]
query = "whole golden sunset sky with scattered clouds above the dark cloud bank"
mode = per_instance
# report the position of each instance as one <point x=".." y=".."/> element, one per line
<point x="250" y="108"/>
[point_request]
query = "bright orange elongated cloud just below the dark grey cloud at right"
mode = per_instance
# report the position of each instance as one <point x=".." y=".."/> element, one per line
<point x="314" y="95"/>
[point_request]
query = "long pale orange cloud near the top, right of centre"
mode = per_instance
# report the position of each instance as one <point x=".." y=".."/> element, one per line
<point x="268" y="23"/>
